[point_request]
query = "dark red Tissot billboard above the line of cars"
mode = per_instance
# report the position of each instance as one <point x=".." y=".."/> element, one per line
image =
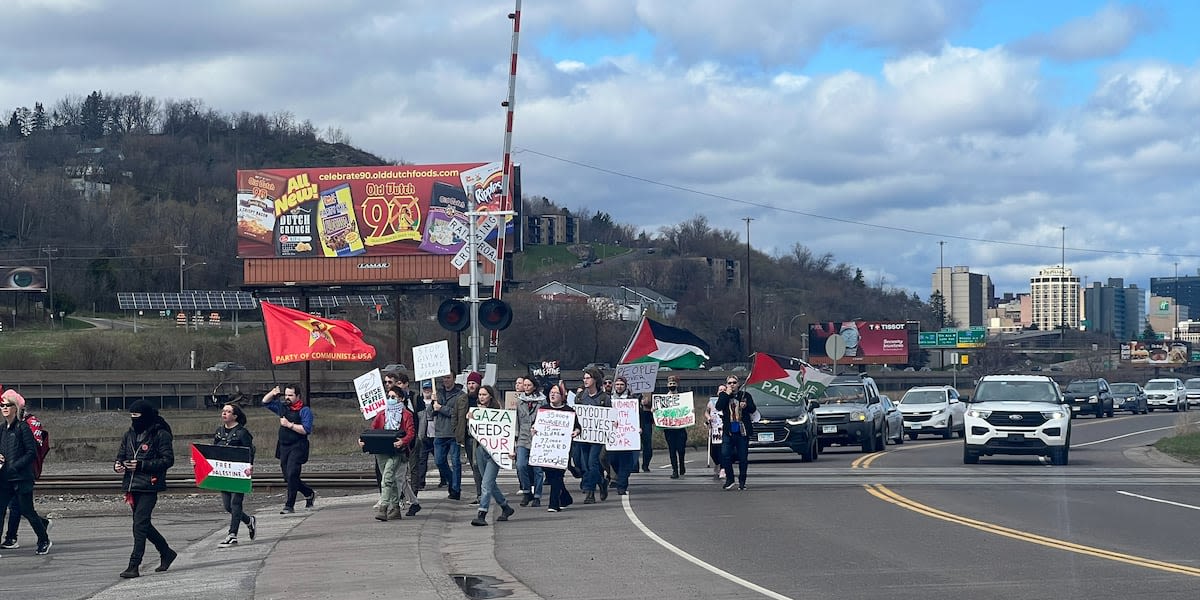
<point x="868" y="343"/>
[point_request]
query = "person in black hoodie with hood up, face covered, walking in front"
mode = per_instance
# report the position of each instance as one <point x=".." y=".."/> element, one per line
<point x="143" y="459"/>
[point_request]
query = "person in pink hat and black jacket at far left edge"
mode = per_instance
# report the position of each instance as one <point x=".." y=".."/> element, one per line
<point x="19" y="452"/>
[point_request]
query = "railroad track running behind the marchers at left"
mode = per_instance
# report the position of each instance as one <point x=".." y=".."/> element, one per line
<point x="185" y="484"/>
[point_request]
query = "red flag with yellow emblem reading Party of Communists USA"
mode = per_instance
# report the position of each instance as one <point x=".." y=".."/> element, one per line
<point x="296" y="337"/>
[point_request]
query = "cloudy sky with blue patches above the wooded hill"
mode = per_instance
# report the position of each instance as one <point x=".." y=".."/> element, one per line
<point x="871" y="130"/>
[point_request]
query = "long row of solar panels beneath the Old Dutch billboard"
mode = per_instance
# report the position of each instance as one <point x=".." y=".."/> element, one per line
<point x="227" y="301"/>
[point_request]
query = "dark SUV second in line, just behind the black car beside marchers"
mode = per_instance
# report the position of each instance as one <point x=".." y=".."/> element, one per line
<point x="850" y="412"/>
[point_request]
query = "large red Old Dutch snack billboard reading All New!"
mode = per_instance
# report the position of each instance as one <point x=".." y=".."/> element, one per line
<point x="365" y="212"/>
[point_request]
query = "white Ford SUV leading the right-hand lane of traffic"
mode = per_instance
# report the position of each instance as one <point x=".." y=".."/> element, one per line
<point x="1017" y="416"/>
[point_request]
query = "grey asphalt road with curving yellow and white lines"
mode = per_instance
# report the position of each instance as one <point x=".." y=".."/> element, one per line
<point x="913" y="523"/>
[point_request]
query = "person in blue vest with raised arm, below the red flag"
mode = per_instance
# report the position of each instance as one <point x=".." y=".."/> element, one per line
<point x="292" y="448"/>
